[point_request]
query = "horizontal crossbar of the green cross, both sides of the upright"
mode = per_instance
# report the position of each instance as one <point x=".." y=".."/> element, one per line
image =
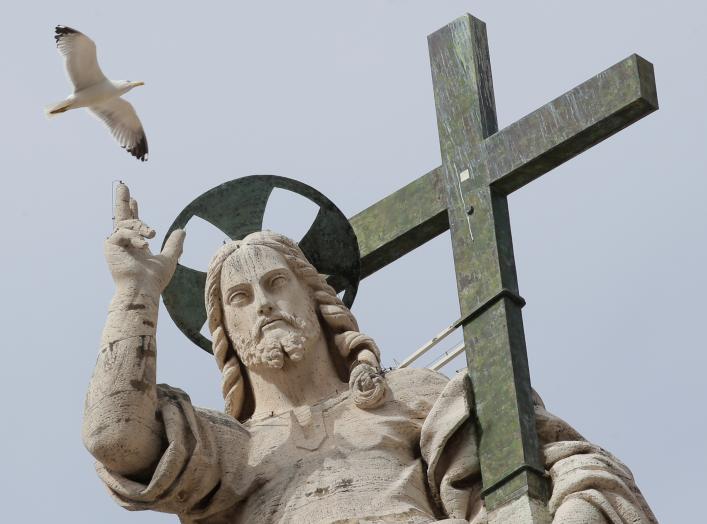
<point x="512" y="157"/>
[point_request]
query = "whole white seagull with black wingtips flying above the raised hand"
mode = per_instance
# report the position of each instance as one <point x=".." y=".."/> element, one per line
<point x="92" y="90"/>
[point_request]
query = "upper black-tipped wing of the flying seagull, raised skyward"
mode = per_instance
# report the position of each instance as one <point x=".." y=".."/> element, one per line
<point x="80" y="53"/>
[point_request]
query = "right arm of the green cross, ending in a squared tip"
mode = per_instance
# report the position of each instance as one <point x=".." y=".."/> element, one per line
<point x="570" y="124"/>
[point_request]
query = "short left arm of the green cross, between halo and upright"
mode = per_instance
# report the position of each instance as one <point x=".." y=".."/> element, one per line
<point x="400" y="222"/>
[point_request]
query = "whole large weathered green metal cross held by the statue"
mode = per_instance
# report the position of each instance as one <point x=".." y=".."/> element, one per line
<point x="467" y="194"/>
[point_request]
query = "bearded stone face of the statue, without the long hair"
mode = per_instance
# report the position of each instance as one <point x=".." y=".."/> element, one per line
<point x="269" y="313"/>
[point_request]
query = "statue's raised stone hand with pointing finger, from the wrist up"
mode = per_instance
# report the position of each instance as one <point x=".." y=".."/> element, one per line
<point x="135" y="270"/>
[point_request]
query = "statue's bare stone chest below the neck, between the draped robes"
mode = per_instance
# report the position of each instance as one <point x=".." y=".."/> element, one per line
<point x="334" y="461"/>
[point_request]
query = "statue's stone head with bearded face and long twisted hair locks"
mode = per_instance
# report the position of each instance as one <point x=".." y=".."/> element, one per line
<point x="266" y="304"/>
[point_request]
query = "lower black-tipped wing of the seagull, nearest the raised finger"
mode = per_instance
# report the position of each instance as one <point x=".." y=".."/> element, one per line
<point x="121" y="118"/>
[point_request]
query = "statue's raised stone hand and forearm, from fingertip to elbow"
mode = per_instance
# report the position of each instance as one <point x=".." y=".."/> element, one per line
<point x="120" y="428"/>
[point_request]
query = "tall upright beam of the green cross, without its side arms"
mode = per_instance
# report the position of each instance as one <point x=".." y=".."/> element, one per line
<point x="485" y="271"/>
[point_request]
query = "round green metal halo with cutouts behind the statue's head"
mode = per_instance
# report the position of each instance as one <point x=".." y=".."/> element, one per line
<point x="237" y="208"/>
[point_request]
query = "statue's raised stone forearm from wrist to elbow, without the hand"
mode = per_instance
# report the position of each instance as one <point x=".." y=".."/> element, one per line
<point x="120" y="427"/>
